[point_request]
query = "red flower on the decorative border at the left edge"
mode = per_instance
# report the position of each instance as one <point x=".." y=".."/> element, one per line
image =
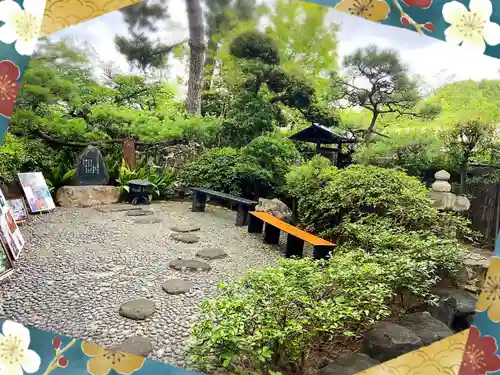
<point x="9" y="87"/>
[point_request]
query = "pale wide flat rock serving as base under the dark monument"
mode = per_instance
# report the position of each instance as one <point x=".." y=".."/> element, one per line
<point x="87" y="196"/>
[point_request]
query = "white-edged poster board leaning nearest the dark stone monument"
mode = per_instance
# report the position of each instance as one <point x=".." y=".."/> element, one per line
<point x="36" y="191"/>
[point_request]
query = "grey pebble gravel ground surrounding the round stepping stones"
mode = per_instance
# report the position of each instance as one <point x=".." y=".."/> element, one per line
<point x="80" y="265"/>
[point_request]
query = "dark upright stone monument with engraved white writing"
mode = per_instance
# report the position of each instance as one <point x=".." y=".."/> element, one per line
<point x="90" y="168"/>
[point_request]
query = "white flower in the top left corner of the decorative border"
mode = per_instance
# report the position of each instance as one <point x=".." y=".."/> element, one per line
<point x="21" y="25"/>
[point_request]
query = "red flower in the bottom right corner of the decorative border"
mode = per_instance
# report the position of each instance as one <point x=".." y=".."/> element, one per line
<point x="479" y="354"/>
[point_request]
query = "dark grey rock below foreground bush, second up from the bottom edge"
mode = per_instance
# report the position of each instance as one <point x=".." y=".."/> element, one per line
<point x="388" y="340"/>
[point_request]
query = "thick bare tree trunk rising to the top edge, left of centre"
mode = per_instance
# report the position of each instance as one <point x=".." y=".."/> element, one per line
<point x="196" y="56"/>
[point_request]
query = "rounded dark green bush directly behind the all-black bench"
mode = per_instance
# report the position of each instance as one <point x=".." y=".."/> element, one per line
<point x="228" y="170"/>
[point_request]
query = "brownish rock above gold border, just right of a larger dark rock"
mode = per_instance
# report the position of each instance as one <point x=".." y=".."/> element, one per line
<point x="426" y="327"/>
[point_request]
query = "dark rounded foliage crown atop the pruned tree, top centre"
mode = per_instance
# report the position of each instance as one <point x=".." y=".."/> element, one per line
<point x="255" y="45"/>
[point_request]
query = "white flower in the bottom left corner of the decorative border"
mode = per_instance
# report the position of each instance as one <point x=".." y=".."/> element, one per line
<point x="15" y="357"/>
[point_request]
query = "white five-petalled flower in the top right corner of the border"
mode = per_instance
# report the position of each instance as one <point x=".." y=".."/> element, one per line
<point x="471" y="28"/>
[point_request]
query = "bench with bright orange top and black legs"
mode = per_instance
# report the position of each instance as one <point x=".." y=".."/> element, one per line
<point x="296" y="236"/>
